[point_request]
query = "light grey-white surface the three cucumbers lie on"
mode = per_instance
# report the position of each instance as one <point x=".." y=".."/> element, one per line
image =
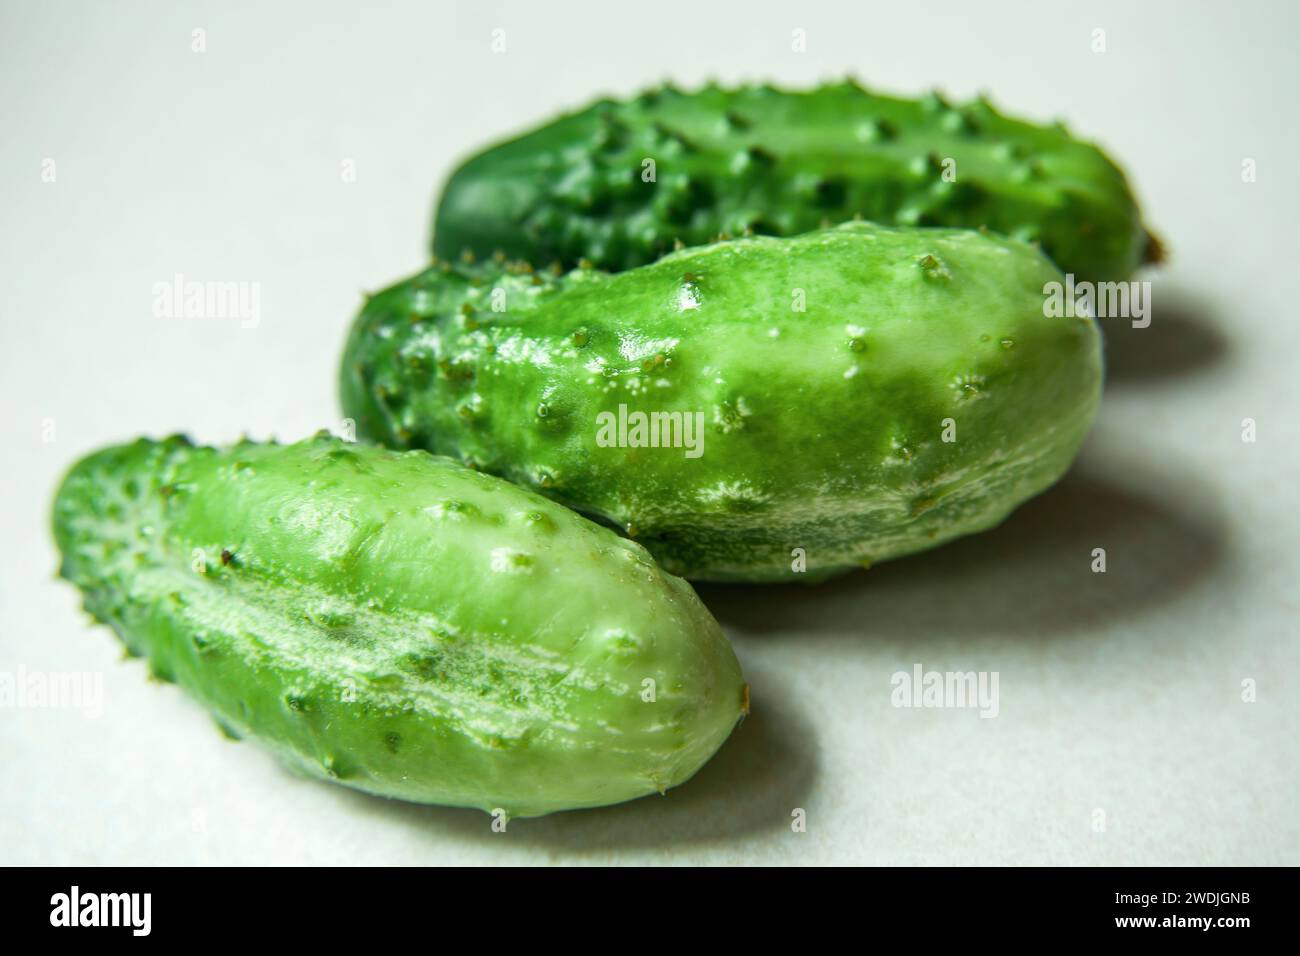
<point x="1119" y="693"/>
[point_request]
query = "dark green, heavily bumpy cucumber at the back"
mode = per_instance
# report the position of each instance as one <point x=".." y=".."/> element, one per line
<point x="778" y="163"/>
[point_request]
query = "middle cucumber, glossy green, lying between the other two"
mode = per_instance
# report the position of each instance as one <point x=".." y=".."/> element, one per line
<point x="825" y="429"/>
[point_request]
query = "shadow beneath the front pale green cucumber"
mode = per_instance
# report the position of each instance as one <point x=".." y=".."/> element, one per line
<point x="765" y="771"/>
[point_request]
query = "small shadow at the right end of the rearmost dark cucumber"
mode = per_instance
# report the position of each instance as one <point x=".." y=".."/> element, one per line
<point x="1182" y="340"/>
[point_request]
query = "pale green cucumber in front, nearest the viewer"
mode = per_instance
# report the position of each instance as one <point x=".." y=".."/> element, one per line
<point x="401" y="624"/>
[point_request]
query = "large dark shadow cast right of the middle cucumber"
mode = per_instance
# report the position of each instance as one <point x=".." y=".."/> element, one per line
<point x="1030" y="578"/>
